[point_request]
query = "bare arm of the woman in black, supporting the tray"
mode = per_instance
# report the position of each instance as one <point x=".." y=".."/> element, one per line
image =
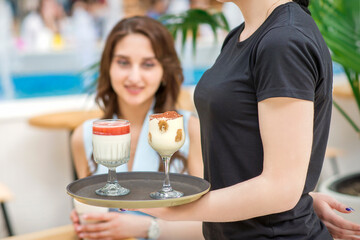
<point x="286" y="127"/>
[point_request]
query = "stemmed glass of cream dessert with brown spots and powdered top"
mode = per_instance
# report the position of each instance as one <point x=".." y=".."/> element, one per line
<point x="166" y="136"/>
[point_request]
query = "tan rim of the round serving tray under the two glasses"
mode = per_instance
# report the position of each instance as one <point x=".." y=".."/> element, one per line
<point x="156" y="203"/>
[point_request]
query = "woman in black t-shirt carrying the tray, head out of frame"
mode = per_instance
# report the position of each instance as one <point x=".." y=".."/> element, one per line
<point x="264" y="109"/>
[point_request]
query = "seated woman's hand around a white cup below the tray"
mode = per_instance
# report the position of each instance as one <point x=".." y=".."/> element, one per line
<point x="111" y="225"/>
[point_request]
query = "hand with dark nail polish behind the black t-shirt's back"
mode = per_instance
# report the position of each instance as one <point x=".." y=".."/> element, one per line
<point x="337" y="226"/>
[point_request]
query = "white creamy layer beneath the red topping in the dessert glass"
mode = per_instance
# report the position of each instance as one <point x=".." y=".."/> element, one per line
<point x="111" y="148"/>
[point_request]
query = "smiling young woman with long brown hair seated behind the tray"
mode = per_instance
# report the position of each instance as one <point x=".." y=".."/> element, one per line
<point x="140" y="74"/>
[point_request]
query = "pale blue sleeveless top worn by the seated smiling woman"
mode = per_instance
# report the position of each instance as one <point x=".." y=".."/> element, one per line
<point x="146" y="158"/>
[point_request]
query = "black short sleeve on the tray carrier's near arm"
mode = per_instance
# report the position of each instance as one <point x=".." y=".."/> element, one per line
<point x="285" y="65"/>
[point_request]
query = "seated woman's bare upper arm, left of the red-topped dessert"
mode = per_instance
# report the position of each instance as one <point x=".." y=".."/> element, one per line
<point x="78" y="153"/>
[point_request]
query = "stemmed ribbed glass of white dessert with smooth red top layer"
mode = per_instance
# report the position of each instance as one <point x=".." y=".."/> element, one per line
<point x="111" y="148"/>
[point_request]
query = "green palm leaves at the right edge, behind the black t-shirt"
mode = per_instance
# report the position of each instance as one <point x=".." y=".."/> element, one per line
<point x="339" y="23"/>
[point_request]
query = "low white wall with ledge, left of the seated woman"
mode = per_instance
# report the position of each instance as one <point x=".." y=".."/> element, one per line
<point x="35" y="163"/>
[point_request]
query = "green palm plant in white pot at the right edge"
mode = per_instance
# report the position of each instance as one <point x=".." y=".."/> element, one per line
<point x="339" y="23"/>
